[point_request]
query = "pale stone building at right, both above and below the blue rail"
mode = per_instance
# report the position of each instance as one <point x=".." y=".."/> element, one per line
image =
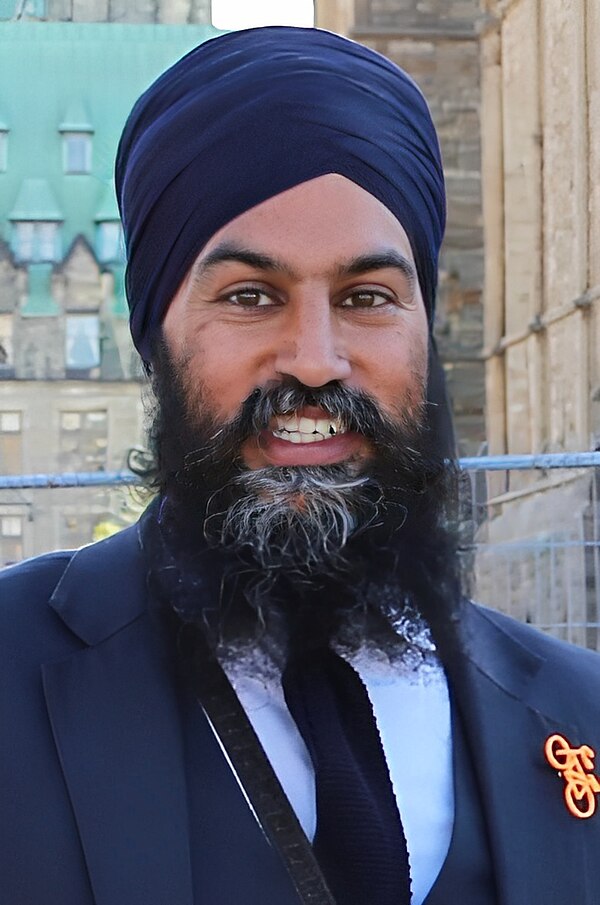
<point x="541" y="161"/>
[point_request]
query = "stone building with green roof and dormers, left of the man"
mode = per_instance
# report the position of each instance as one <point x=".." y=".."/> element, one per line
<point x="69" y="377"/>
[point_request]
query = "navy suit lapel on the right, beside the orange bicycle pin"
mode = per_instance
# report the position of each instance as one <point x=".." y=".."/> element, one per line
<point x="538" y="848"/>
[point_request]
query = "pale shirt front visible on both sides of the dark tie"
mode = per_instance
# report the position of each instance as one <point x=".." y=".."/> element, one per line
<point x="412" y="712"/>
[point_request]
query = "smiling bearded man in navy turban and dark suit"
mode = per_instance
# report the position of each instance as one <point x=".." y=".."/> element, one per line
<point x="294" y="589"/>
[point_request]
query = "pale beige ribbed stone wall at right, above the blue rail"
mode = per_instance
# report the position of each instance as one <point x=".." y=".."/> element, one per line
<point x="541" y="128"/>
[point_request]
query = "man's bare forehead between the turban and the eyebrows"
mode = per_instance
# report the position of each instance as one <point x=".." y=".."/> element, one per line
<point x="316" y="225"/>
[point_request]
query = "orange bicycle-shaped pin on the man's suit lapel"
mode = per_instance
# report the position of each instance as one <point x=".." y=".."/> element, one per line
<point x="575" y="765"/>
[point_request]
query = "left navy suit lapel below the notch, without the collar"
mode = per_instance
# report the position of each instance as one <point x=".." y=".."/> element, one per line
<point x="116" y="726"/>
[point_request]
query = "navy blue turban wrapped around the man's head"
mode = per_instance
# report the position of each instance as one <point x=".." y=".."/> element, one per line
<point x="250" y="114"/>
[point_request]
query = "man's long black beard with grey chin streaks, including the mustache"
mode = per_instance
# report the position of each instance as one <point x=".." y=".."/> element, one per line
<point x="309" y="549"/>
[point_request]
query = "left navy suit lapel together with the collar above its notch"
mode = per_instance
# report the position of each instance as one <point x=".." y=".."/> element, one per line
<point x="116" y="725"/>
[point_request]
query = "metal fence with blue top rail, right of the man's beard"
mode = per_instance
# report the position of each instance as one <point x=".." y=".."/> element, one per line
<point x="533" y="540"/>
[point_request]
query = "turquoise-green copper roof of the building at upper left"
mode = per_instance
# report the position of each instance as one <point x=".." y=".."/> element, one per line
<point x="82" y="75"/>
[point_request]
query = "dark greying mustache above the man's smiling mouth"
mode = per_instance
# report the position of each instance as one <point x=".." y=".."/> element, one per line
<point x="356" y="409"/>
